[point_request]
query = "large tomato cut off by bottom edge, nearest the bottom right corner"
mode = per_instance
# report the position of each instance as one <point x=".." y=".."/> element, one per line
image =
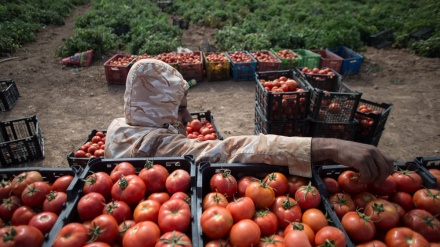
<point x="404" y="237"/>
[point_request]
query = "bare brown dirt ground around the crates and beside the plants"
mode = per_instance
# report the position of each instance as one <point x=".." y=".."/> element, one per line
<point x="70" y="103"/>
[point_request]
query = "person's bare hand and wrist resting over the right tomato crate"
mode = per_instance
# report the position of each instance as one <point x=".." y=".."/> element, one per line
<point x="368" y="160"/>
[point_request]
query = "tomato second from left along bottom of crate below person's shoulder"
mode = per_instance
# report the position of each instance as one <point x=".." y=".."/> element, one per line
<point x="104" y="229"/>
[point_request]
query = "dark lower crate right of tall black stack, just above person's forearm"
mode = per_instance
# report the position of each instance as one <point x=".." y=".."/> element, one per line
<point x="344" y="131"/>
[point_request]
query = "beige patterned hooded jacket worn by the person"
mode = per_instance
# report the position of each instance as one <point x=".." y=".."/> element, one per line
<point x="153" y="93"/>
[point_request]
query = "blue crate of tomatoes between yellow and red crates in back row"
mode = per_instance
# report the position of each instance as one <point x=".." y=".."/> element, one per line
<point x="243" y="65"/>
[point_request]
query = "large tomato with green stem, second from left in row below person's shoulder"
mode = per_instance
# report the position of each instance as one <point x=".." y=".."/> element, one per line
<point x="130" y="189"/>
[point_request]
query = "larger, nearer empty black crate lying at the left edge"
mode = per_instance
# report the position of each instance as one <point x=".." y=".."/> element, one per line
<point x="21" y="141"/>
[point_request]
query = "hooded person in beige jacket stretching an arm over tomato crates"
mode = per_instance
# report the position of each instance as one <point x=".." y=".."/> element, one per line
<point x="154" y="125"/>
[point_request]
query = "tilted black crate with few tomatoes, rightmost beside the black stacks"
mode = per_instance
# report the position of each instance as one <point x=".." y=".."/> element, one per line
<point x="372" y="123"/>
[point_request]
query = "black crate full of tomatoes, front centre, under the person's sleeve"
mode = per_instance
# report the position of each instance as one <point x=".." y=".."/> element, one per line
<point x="251" y="204"/>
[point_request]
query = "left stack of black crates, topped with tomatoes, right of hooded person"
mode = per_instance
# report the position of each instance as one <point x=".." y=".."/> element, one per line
<point x="281" y="113"/>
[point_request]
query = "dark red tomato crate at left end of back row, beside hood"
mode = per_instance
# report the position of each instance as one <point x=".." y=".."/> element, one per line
<point x="117" y="68"/>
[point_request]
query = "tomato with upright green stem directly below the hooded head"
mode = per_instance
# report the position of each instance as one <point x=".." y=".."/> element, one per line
<point x="154" y="177"/>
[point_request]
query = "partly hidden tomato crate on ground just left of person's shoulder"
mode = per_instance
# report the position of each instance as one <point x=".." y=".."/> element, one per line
<point x="93" y="147"/>
